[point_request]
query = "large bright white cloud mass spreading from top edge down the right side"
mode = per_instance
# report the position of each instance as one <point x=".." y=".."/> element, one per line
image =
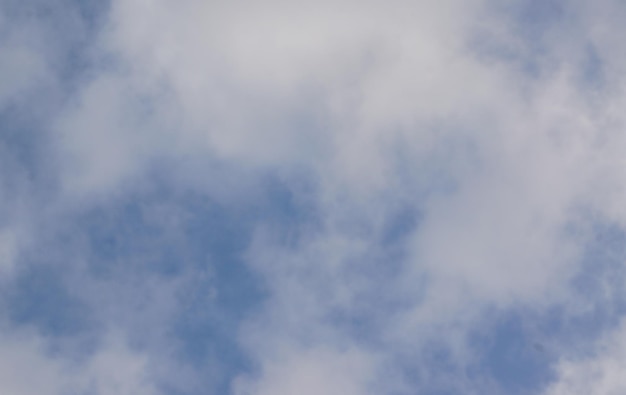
<point x="380" y="77"/>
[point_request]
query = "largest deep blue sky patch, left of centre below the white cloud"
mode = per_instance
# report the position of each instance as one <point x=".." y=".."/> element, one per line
<point x="155" y="231"/>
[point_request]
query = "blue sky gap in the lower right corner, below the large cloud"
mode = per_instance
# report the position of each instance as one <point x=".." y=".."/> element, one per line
<point x="519" y="347"/>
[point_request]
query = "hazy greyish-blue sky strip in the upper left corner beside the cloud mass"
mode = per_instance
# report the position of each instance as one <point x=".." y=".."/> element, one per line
<point x="60" y="33"/>
